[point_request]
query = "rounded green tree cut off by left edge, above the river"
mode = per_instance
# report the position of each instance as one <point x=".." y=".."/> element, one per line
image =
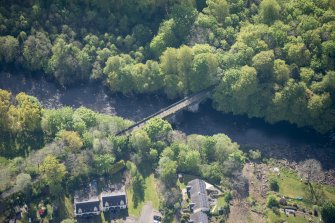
<point x="9" y="49"/>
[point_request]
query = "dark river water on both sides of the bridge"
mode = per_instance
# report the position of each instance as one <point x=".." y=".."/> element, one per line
<point x="207" y="121"/>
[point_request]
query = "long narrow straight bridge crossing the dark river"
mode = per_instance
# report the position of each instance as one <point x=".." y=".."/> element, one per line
<point x="191" y="102"/>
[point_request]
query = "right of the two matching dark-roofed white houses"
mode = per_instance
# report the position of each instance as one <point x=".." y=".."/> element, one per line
<point x="113" y="198"/>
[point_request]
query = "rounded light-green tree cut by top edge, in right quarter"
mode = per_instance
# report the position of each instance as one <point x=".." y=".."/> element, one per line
<point x="269" y="11"/>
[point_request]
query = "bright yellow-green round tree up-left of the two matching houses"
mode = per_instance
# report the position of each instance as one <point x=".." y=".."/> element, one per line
<point x="51" y="170"/>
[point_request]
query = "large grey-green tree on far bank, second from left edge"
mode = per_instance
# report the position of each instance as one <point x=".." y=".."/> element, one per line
<point x="36" y="51"/>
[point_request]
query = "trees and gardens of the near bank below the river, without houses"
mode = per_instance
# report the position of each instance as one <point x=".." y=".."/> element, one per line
<point x="79" y="145"/>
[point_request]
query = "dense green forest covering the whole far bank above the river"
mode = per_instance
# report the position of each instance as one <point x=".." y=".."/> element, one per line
<point x="269" y="59"/>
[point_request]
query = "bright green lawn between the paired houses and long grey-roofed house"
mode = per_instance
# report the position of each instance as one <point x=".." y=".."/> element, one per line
<point x="150" y="195"/>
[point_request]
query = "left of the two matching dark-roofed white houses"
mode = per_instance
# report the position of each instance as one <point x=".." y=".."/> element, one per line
<point x="86" y="202"/>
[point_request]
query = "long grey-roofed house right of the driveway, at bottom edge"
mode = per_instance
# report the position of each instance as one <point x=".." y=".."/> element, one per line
<point x="199" y="204"/>
